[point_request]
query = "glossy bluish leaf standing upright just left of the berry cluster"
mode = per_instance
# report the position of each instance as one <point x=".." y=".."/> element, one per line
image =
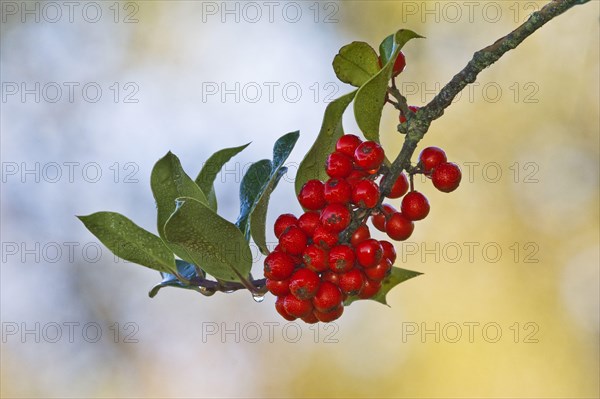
<point x="253" y="184"/>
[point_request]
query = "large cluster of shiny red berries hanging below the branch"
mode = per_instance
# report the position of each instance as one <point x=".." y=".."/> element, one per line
<point x="311" y="271"/>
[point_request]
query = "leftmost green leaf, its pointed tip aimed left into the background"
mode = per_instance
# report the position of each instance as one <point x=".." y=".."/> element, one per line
<point x="129" y="241"/>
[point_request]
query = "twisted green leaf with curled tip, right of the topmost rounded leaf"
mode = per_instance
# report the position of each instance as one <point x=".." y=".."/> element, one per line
<point x="370" y="99"/>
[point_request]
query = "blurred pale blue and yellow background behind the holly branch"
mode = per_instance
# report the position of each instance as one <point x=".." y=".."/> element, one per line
<point x="94" y="93"/>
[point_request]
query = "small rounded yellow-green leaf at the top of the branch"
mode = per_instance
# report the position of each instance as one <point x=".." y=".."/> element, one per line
<point x="356" y="63"/>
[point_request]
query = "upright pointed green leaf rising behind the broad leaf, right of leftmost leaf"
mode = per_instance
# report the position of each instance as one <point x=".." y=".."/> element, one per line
<point x="169" y="182"/>
